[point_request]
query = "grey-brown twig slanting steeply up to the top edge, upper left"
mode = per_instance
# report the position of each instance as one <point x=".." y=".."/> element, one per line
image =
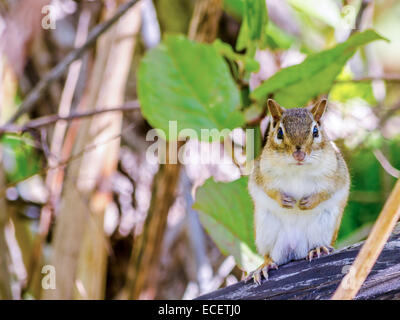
<point x="36" y="93"/>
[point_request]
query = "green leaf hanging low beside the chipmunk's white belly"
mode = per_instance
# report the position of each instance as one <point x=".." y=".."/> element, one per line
<point x="226" y="211"/>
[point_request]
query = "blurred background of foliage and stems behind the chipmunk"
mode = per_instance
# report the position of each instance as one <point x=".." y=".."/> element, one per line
<point x="80" y="194"/>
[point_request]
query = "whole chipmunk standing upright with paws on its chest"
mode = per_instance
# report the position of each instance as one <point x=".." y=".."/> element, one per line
<point x="299" y="186"/>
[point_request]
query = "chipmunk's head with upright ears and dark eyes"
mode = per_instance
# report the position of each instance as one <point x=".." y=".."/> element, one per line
<point x="295" y="136"/>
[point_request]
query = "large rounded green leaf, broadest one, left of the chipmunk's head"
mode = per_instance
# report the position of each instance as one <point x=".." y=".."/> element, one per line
<point x="188" y="82"/>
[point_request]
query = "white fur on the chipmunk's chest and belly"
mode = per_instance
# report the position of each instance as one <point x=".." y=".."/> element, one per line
<point x="287" y="234"/>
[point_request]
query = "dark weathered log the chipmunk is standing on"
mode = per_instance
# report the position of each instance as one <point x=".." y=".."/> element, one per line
<point x="319" y="278"/>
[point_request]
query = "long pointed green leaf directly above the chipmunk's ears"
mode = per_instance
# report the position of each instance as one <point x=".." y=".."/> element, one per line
<point x="296" y="85"/>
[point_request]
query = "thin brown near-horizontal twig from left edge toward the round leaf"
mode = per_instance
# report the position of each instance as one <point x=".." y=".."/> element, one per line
<point x="48" y="120"/>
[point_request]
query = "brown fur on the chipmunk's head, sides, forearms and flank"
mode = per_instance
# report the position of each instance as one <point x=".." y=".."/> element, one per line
<point x="297" y="127"/>
